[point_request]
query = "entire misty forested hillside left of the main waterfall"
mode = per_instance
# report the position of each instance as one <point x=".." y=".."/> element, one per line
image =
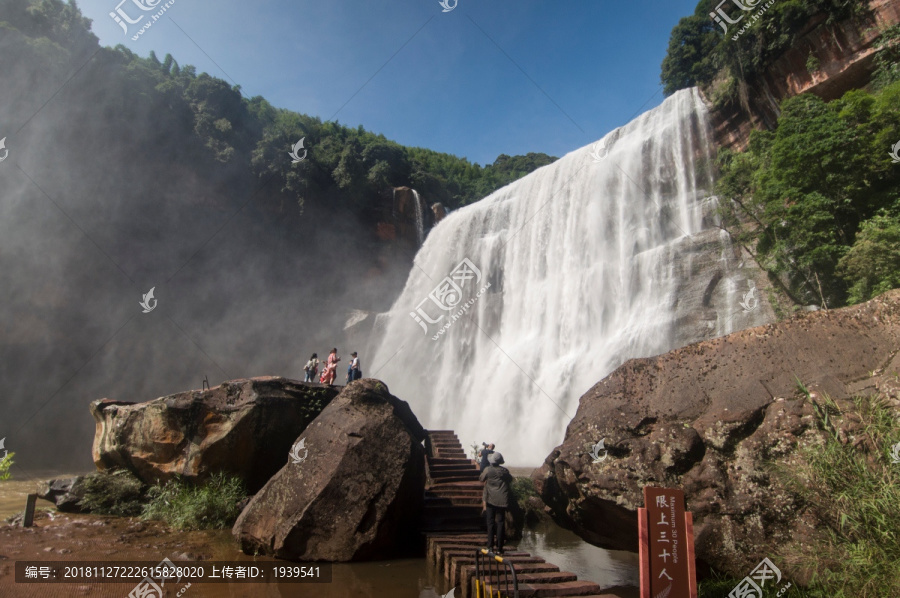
<point x="126" y="174"/>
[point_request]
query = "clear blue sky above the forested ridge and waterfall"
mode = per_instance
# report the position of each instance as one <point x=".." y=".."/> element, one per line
<point x="489" y="77"/>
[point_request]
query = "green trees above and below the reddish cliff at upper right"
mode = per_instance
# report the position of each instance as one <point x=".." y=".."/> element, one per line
<point x="816" y="199"/>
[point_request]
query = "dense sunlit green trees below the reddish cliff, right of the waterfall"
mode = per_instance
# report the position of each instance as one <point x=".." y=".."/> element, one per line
<point x="801" y="193"/>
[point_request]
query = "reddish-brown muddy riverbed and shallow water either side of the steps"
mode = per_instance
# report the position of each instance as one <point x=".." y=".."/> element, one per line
<point x="69" y="537"/>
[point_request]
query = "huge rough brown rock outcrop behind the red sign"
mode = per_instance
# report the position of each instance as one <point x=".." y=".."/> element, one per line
<point x="709" y="418"/>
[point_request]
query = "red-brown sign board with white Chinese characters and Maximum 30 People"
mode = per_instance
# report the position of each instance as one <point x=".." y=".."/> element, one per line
<point x="666" y="545"/>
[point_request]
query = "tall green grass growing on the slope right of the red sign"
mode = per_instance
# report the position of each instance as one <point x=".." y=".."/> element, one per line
<point x="853" y="488"/>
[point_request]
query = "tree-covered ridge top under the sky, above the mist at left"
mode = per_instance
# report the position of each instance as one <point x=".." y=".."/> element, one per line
<point x="344" y="166"/>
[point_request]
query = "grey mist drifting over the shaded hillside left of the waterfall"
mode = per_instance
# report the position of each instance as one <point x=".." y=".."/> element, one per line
<point x="99" y="202"/>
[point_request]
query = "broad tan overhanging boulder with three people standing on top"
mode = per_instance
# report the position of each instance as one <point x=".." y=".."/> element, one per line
<point x="243" y="427"/>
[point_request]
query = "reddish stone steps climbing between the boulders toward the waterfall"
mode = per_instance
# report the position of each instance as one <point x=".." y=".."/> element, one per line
<point x="454" y="529"/>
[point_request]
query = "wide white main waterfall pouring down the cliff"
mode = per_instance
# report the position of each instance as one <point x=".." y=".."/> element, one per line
<point x="571" y="271"/>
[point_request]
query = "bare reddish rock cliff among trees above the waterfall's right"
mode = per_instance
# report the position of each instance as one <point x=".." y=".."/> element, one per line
<point x="845" y="53"/>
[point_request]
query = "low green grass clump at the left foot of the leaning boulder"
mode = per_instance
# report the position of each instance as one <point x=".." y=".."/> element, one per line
<point x="185" y="506"/>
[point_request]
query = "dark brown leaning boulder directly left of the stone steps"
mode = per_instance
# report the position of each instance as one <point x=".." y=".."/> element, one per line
<point x="357" y="492"/>
